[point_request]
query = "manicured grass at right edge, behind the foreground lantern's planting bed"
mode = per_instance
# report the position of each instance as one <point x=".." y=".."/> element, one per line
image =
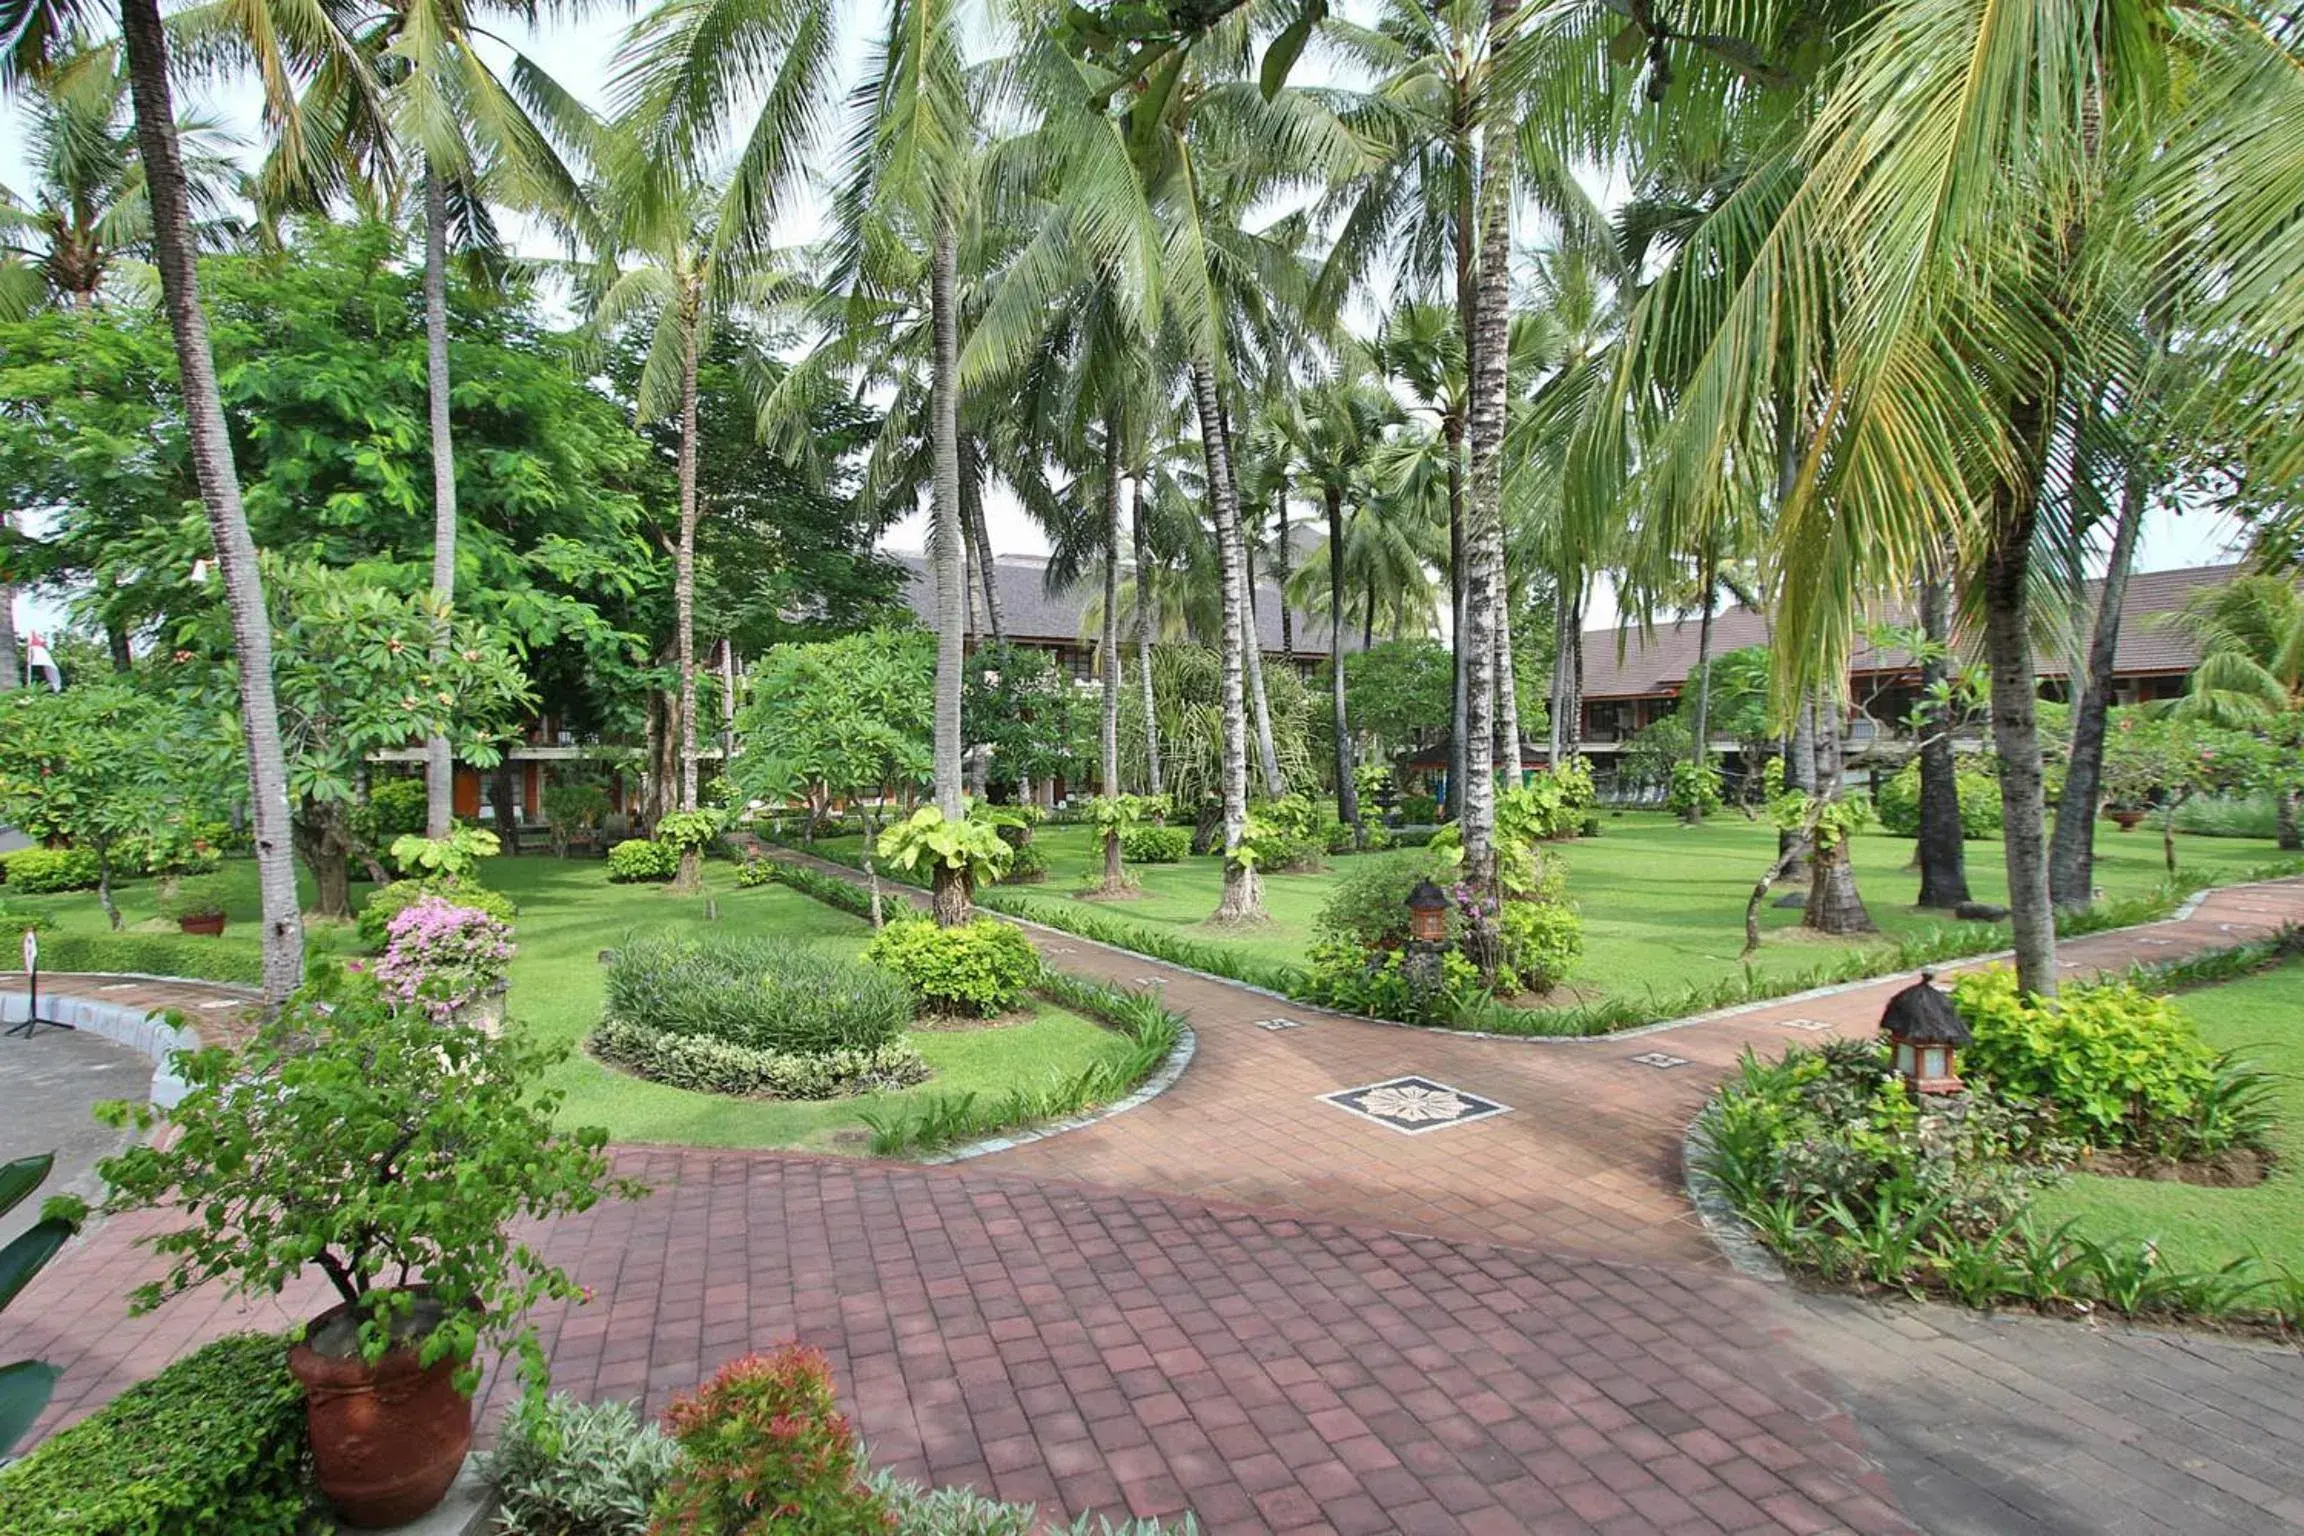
<point x="2201" y="1229"/>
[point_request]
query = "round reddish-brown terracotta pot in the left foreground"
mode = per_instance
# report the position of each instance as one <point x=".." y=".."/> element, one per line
<point x="388" y="1440"/>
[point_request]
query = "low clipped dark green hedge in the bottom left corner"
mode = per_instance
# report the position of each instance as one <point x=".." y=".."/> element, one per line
<point x="213" y="1445"/>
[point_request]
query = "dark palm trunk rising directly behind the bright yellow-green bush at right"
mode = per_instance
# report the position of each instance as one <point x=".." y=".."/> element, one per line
<point x="2008" y="651"/>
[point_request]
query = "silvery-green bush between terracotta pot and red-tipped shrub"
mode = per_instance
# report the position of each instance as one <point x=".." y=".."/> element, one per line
<point x="568" y="1468"/>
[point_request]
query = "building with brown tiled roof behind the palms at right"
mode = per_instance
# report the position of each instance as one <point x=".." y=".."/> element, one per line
<point x="1635" y="678"/>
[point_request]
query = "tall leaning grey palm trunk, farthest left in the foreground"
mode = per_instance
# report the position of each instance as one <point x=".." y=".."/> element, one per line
<point x="220" y="494"/>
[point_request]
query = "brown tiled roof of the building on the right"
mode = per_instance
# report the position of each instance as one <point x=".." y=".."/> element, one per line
<point x="1625" y="664"/>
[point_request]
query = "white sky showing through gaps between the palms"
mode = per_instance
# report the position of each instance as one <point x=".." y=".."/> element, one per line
<point x="579" y="54"/>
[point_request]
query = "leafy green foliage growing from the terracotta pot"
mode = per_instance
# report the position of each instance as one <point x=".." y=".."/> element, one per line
<point x="328" y="1141"/>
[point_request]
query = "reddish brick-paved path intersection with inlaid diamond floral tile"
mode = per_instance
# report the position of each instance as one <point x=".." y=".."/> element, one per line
<point x="1349" y="1277"/>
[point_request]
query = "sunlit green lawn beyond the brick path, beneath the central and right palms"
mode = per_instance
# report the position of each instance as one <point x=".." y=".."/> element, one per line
<point x="1662" y="902"/>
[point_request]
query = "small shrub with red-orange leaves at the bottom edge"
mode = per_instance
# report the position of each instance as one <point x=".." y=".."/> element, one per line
<point x="766" y="1452"/>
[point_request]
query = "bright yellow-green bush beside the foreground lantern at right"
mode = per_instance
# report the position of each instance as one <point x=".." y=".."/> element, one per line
<point x="2114" y="1065"/>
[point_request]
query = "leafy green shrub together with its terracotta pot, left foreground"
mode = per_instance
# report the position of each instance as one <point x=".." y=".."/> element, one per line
<point x="326" y="1143"/>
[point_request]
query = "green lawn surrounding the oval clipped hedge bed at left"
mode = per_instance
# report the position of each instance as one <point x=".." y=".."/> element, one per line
<point x="570" y="913"/>
